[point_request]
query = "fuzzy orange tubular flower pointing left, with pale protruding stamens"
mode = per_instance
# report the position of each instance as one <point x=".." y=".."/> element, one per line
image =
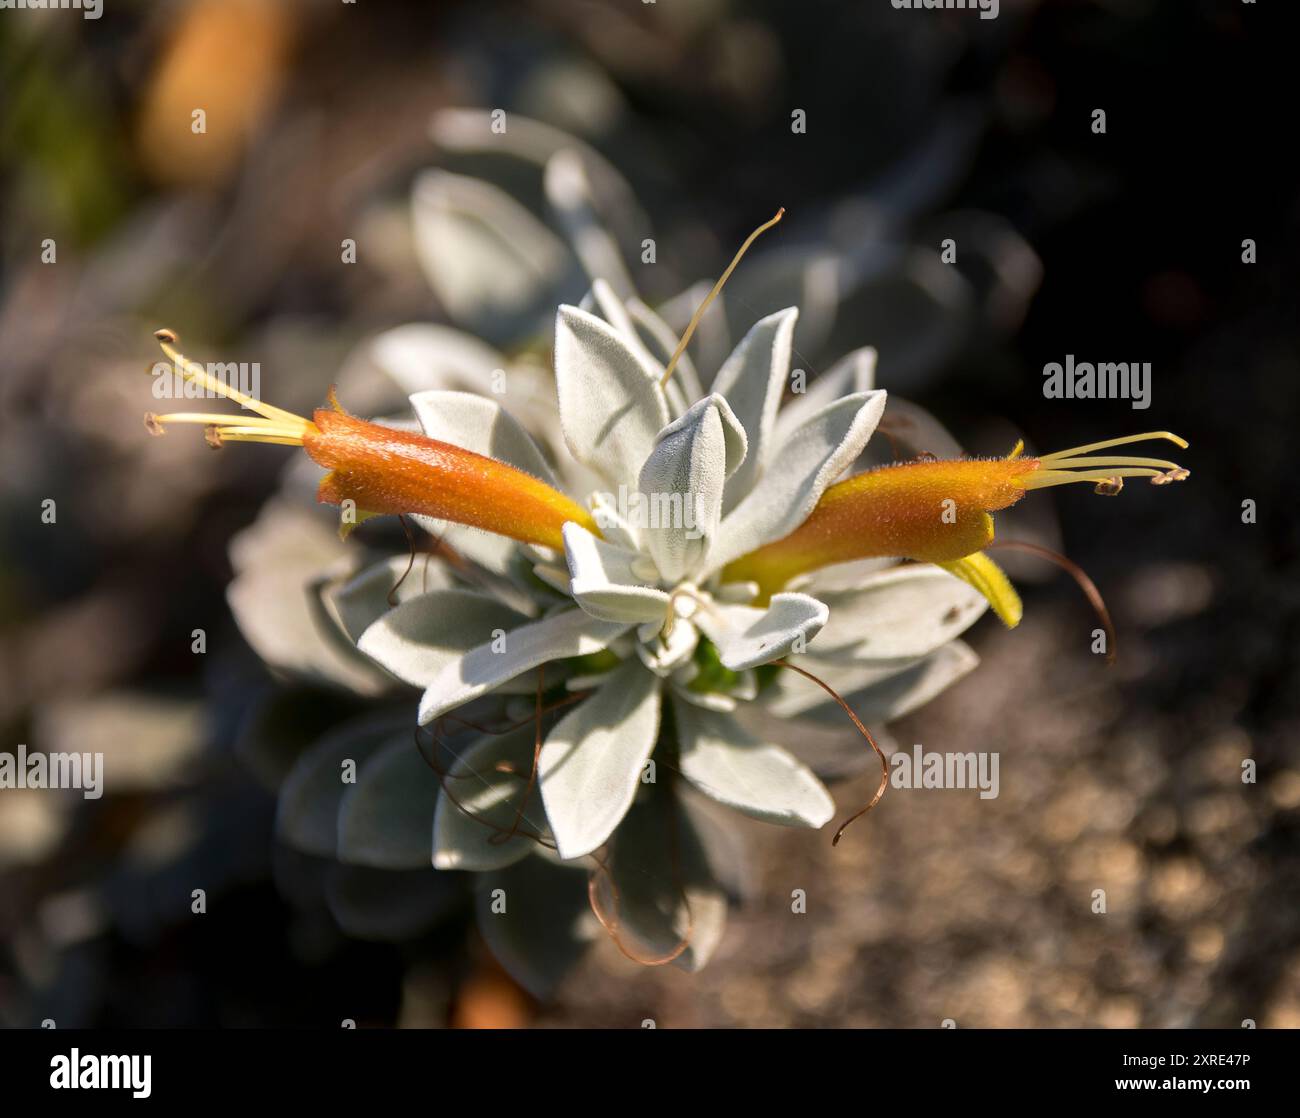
<point x="385" y="471"/>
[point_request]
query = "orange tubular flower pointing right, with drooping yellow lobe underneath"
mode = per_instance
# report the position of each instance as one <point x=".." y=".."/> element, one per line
<point x="937" y="512"/>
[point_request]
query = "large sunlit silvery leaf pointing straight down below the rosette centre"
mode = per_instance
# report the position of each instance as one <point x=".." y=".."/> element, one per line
<point x="591" y="766"/>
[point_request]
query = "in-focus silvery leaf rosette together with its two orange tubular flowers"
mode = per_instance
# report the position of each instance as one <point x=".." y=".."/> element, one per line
<point x="645" y="619"/>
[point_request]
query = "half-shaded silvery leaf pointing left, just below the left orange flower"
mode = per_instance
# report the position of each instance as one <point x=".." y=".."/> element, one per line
<point x="419" y="639"/>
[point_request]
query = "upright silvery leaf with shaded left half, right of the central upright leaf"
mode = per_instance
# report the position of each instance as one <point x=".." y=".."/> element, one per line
<point x="752" y="380"/>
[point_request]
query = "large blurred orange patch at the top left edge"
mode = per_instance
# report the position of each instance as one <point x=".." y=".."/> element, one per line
<point x="224" y="59"/>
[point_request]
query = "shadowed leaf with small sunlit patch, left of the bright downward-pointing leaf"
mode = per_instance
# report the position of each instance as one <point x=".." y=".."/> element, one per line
<point x="492" y="798"/>
